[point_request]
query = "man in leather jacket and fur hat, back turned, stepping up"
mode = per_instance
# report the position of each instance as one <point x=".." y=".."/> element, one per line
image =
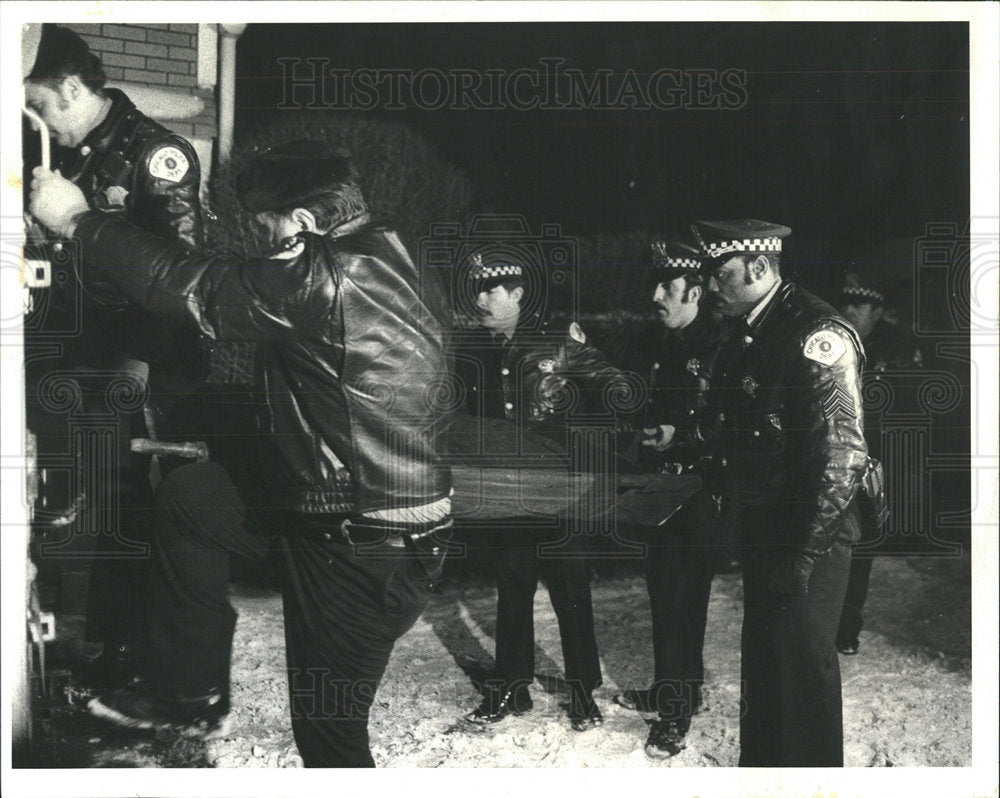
<point x="357" y="490"/>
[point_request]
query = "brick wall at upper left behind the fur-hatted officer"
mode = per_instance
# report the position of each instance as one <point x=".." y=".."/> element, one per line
<point x="160" y="55"/>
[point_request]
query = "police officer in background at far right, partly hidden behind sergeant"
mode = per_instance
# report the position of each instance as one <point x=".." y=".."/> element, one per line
<point x="862" y="302"/>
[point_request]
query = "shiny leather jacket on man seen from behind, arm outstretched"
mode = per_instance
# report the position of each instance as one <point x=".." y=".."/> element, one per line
<point x="355" y="352"/>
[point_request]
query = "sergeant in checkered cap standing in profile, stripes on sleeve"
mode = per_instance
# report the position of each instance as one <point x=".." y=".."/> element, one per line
<point x="793" y="453"/>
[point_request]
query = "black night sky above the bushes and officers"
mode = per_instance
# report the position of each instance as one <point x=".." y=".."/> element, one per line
<point x="855" y="133"/>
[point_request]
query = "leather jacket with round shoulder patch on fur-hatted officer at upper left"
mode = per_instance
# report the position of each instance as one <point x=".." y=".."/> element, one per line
<point x="132" y="165"/>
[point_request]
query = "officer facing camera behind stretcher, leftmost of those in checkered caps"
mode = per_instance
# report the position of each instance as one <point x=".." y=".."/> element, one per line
<point x="515" y="366"/>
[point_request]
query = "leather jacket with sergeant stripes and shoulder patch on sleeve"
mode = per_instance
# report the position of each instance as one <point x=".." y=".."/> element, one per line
<point x="789" y="412"/>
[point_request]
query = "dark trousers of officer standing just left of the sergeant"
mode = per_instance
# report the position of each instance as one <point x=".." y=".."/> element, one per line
<point x="680" y="564"/>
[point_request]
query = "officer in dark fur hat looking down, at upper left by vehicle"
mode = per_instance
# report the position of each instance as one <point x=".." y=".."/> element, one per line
<point x="125" y="164"/>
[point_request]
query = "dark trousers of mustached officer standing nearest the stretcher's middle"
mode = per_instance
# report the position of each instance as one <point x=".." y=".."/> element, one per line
<point x="520" y="554"/>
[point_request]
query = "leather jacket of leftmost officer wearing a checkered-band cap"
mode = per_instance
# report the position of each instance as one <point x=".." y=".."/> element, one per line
<point x="542" y="377"/>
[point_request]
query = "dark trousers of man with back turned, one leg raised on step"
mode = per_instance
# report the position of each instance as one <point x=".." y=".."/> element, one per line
<point x="344" y="606"/>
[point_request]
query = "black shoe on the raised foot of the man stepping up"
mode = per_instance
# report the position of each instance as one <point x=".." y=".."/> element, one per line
<point x="138" y="707"/>
